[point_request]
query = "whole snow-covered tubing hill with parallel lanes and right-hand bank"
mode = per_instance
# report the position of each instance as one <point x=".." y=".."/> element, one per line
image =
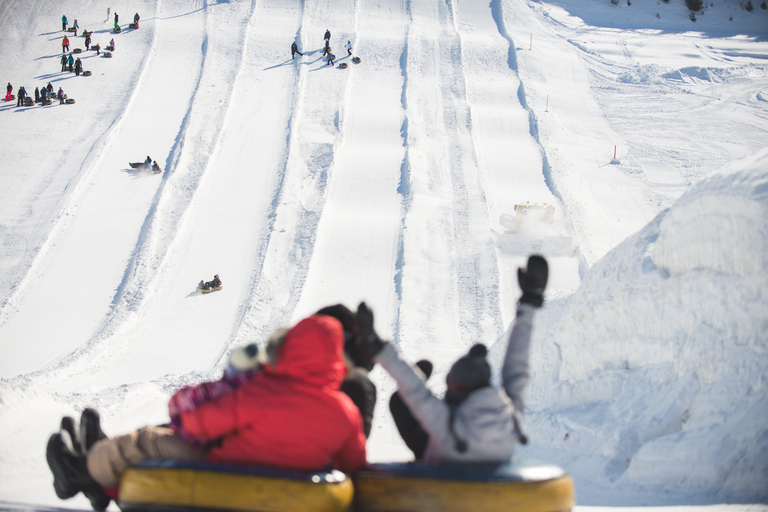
<point x="396" y="181"/>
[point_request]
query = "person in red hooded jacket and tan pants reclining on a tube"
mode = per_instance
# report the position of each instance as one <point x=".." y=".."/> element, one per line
<point x="288" y="414"/>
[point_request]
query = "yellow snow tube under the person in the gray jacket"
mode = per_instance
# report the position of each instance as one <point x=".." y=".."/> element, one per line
<point x="418" y="487"/>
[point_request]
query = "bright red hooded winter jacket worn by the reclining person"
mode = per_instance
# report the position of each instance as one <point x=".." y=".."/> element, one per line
<point x="291" y="415"/>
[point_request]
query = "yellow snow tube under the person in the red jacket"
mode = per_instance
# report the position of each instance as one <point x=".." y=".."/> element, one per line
<point x="172" y="486"/>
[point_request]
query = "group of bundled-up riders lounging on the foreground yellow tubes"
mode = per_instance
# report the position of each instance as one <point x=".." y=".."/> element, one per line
<point x="316" y="369"/>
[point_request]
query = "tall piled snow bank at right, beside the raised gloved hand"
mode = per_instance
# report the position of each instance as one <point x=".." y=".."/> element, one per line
<point x="662" y="349"/>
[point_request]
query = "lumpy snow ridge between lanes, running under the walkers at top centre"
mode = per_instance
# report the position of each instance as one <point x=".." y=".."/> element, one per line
<point x="305" y="174"/>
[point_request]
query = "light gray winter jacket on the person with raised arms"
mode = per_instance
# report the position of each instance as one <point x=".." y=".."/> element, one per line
<point x="485" y="420"/>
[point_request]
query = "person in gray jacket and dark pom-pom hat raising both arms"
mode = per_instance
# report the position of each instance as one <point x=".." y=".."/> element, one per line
<point x="475" y="422"/>
